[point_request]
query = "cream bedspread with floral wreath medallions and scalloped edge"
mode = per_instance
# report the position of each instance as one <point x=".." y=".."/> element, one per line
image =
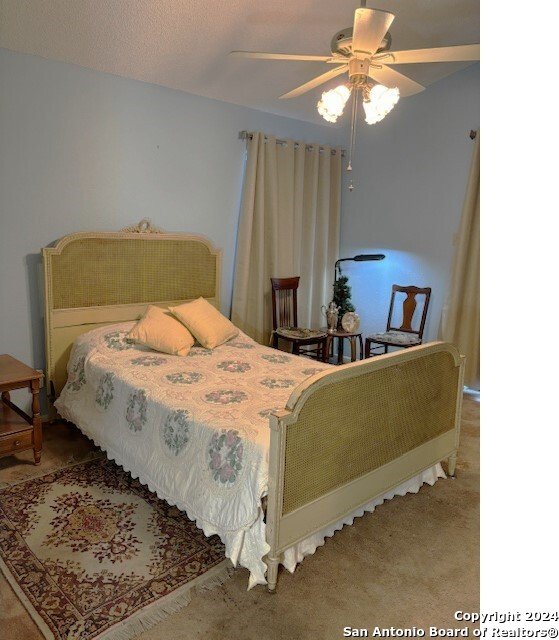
<point x="194" y="429"/>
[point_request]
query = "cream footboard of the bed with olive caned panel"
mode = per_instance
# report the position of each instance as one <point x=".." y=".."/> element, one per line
<point x="350" y="434"/>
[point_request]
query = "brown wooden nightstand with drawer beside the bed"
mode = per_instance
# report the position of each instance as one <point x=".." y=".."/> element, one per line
<point x="19" y="431"/>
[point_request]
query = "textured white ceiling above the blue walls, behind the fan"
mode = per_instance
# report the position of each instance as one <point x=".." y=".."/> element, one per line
<point x="184" y="44"/>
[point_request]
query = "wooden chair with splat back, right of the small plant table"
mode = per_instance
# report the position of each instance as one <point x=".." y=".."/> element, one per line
<point x="404" y="336"/>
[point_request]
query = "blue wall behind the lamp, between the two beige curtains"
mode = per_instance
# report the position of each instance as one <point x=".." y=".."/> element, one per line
<point x="410" y="175"/>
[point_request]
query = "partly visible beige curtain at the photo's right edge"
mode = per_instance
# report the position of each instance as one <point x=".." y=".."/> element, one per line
<point x="460" y="318"/>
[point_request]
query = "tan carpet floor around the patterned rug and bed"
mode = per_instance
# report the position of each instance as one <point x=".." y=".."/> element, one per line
<point x="413" y="562"/>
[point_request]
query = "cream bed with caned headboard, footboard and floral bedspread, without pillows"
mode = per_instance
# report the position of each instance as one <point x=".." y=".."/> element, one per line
<point x="217" y="432"/>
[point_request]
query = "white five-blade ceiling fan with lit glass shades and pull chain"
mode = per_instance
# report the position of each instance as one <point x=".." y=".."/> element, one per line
<point x="363" y="52"/>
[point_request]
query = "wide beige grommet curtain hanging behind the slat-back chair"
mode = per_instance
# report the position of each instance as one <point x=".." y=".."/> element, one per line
<point x="289" y="226"/>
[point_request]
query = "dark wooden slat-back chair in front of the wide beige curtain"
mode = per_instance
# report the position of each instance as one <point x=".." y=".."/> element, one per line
<point x="284" y="320"/>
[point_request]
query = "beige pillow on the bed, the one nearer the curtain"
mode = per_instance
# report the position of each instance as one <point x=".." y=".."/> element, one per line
<point x="205" y="323"/>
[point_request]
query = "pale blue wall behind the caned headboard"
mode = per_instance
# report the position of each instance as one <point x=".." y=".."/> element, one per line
<point x="82" y="150"/>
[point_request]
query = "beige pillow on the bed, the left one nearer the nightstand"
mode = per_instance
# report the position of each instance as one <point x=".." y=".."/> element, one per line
<point x="159" y="330"/>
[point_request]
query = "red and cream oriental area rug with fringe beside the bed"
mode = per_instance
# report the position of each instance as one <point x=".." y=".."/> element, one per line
<point x="93" y="554"/>
